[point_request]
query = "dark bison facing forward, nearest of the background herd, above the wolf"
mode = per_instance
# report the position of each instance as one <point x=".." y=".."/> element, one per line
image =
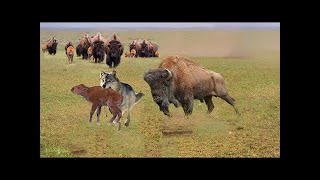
<point x="114" y="52"/>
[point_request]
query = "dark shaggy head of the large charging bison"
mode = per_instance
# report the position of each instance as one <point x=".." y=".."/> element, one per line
<point x="160" y="82"/>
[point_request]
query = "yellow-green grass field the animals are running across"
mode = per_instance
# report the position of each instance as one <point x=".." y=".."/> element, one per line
<point x="248" y="60"/>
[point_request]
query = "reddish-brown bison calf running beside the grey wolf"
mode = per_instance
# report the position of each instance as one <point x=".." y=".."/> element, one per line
<point x="99" y="97"/>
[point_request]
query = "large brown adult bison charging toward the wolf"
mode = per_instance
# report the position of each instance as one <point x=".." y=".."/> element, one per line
<point x="179" y="80"/>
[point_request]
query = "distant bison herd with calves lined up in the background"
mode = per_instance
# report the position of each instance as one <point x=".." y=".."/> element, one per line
<point x="97" y="48"/>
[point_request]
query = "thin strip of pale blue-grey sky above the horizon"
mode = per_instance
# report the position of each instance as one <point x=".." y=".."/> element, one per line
<point x="122" y="25"/>
